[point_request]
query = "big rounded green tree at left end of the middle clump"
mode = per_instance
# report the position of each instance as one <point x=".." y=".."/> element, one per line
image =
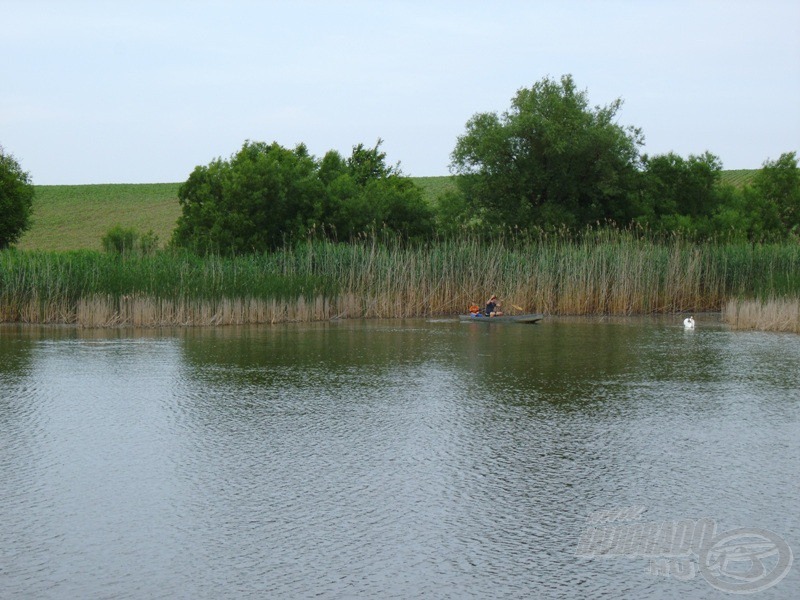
<point x="261" y="198"/>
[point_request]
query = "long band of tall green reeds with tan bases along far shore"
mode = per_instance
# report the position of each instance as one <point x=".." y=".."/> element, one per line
<point x="604" y="272"/>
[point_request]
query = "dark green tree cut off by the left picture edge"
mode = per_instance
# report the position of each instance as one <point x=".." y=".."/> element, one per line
<point x="16" y="199"/>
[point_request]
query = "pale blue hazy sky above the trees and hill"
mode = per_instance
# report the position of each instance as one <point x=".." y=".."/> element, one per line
<point x="119" y="91"/>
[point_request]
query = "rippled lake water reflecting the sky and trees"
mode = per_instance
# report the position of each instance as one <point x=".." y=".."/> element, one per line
<point x="398" y="459"/>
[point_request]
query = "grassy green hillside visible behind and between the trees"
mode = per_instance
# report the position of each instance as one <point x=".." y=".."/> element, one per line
<point x="71" y="217"/>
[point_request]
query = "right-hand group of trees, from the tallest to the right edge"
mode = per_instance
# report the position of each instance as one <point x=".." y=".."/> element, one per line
<point x="552" y="161"/>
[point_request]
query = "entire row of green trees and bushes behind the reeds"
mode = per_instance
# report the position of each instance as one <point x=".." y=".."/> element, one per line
<point x="549" y="162"/>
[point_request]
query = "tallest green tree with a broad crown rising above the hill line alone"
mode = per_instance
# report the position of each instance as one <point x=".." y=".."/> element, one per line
<point x="549" y="160"/>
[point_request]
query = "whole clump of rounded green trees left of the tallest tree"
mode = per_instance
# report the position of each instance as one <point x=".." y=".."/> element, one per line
<point x="266" y="196"/>
